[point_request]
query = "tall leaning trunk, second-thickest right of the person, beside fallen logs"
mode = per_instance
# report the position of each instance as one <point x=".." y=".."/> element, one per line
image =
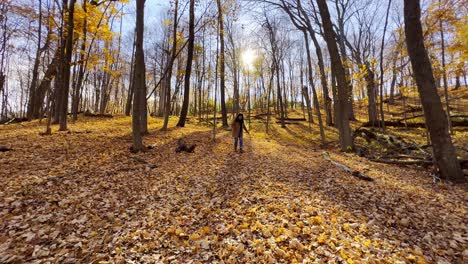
<point x="338" y="69"/>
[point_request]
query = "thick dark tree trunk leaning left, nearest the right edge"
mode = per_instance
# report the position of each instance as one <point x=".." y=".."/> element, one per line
<point x="436" y="120"/>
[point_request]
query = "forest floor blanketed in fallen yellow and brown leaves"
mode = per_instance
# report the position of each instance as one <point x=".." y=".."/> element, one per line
<point x="81" y="196"/>
